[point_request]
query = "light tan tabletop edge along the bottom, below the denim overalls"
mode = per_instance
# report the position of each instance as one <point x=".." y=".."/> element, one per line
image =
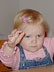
<point x="40" y="69"/>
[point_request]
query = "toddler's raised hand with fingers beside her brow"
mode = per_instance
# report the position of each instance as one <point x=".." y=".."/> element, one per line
<point x="15" y="37"/>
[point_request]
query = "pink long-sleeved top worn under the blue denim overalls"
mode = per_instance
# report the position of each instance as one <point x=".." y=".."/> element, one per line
<point x="14" y="59"/>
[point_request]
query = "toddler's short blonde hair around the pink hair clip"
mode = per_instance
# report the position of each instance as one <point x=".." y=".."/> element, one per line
<point x="32" y="16"/>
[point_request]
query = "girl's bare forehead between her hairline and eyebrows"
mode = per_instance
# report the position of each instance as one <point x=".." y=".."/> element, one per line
<point x="33" y="29"/>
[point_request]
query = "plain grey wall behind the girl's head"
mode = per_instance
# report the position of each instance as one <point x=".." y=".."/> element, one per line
<point x="9" y="8"/>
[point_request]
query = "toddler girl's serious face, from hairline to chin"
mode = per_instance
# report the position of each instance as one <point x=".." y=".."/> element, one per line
<point x="34" y="37"/>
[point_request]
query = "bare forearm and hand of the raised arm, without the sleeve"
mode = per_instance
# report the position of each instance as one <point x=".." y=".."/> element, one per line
<point x="13" y="39"/>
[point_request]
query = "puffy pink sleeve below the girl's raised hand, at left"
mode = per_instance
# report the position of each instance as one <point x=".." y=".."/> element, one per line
<point x="10" y="60"/>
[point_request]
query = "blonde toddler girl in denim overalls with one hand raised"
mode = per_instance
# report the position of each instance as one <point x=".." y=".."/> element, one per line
<point x="27" y="46"/>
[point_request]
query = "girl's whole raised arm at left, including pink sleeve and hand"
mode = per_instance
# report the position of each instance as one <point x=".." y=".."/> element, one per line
<point x="9" y="53"/>
